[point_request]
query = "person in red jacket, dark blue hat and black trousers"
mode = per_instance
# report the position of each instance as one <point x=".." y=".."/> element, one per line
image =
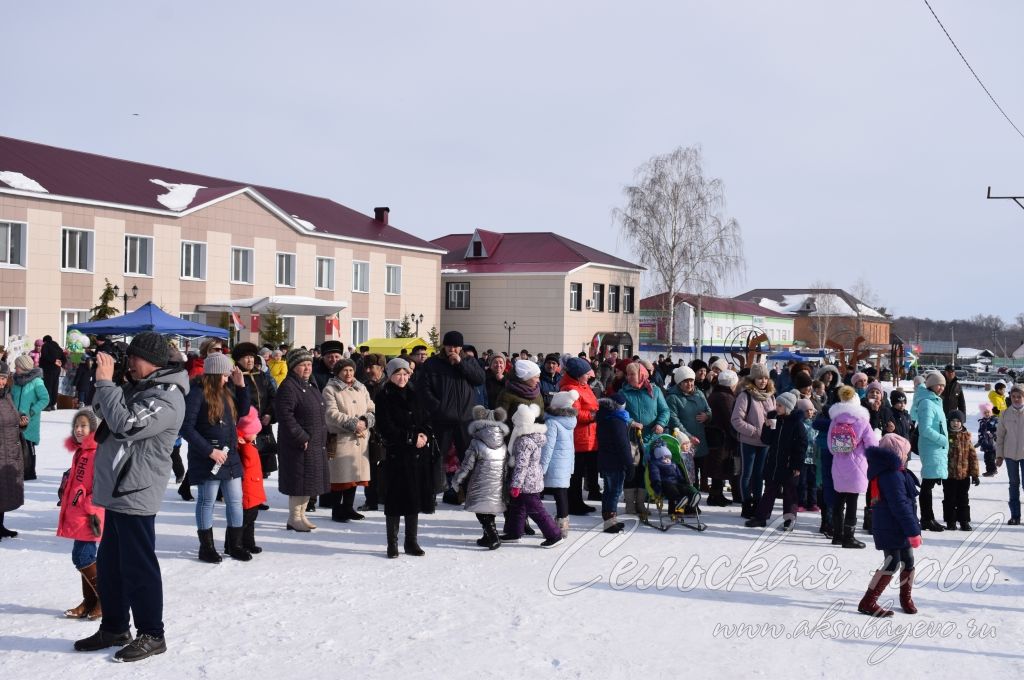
<point x="577" y="376"/>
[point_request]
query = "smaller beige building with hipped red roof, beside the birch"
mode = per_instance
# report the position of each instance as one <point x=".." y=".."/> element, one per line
<point x="562" y="295"/>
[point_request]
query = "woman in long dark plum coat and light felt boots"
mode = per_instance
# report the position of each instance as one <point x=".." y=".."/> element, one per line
<point x="302" y="440"/>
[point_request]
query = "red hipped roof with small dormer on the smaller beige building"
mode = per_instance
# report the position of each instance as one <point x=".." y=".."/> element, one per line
<point x="523" y="252"/>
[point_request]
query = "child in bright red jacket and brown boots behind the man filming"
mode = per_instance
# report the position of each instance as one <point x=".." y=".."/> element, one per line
<point x="80" y="520"/>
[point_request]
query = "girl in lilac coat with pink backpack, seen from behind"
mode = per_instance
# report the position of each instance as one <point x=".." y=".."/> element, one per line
<point x="849" y="436"/>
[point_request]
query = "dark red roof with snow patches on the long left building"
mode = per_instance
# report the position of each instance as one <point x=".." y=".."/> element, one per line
<point x="81" y="176"/>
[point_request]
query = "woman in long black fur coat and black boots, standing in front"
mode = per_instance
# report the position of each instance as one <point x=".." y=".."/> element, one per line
<point x="404" y="424"/>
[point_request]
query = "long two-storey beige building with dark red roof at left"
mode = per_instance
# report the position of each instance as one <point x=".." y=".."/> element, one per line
<point x="69" y="221"/>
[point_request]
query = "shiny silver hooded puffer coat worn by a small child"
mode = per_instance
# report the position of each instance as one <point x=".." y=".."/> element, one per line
<point x="486" y="459"/>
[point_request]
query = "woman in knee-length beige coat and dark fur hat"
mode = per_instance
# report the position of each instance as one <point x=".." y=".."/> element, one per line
<point x="350" y="417"/>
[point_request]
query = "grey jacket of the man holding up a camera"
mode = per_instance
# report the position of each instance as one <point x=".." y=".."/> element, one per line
<point x="142" y="421"/>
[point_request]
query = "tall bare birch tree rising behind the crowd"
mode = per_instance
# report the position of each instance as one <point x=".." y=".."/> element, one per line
<point x="675" y="225"/>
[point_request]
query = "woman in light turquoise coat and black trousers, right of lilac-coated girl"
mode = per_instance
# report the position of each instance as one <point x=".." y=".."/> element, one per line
<point x="933" y="444"/>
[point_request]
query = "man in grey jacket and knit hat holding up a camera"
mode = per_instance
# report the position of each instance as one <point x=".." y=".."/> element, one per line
<point x="142" y="421"/>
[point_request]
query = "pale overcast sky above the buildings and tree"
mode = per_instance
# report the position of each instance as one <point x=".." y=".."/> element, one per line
<point x="851" y="139"/>
